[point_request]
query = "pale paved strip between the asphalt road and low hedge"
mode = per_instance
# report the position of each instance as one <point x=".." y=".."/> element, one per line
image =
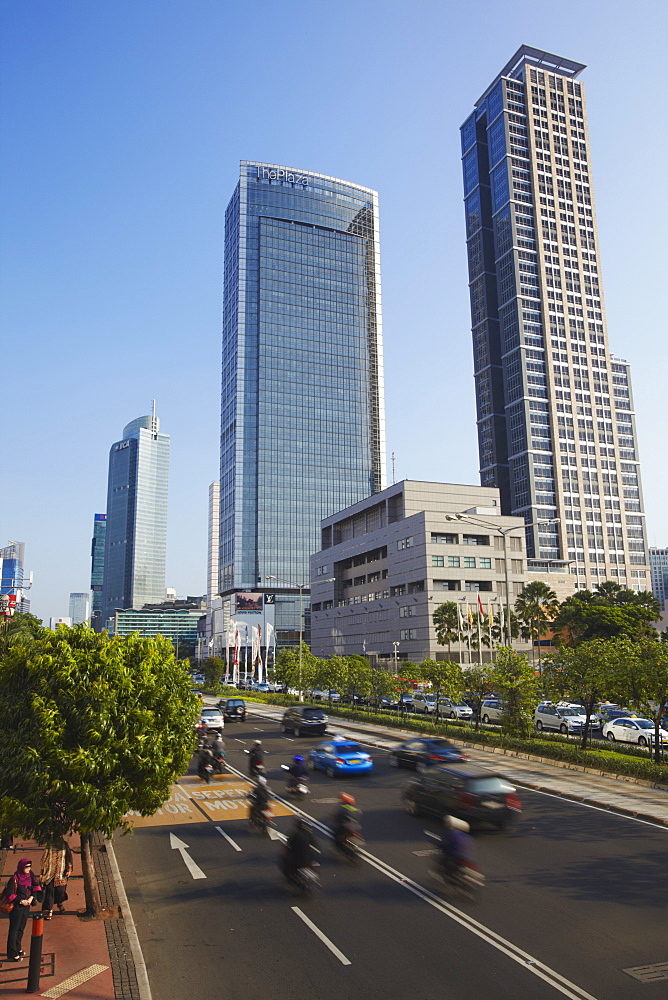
<point x="627" y="796"/>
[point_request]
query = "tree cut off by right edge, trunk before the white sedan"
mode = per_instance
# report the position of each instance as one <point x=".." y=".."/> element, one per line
<point x="642" y="681"/>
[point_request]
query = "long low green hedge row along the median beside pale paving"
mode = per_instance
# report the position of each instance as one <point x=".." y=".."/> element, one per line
<point x="634" y="764"/>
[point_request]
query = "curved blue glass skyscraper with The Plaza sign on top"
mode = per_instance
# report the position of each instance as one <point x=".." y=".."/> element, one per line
<point x="302" y="412"/>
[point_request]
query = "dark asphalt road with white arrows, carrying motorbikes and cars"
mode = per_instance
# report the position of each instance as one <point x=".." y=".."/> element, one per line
<point x="573" y="897"/>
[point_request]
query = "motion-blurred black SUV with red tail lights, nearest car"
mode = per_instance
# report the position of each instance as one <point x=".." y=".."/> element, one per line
<point x="466" y="790"/>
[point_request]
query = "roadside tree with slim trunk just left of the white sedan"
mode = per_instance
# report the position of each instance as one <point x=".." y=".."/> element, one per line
<point x="587" y="673"/>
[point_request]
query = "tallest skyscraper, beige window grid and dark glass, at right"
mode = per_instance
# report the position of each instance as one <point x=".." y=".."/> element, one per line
<point x="556" y="428"/>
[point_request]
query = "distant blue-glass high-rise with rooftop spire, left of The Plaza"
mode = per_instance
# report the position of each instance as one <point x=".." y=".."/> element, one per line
<point x="136" y="532"/>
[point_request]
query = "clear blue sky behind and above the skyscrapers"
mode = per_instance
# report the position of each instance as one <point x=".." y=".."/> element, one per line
<point x="122" y="126"/>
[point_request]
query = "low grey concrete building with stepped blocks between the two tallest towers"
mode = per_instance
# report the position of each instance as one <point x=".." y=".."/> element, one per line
<point x="387" y="562"/>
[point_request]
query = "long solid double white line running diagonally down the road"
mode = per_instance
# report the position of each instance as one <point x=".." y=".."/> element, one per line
<point x="512" y="951"/>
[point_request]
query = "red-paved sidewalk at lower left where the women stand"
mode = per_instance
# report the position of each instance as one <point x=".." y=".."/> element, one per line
<point x="81" y="959"/>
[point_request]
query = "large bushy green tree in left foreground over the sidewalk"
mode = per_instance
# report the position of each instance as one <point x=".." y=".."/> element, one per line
<point x="90" y="727"/>
